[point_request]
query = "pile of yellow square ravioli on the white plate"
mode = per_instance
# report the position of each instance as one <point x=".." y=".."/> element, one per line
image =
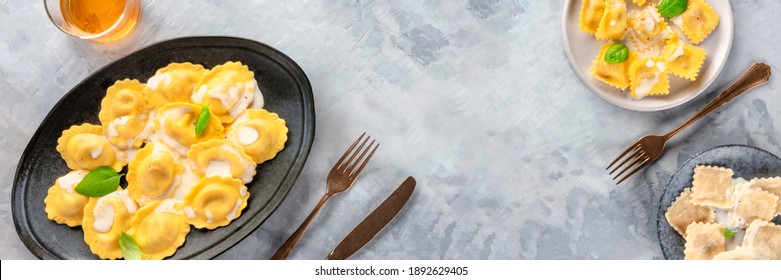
<point x="655" y="48"/>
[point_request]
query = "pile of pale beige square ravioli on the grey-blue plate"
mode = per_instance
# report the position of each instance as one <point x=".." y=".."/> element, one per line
<point x="718" y="206"/>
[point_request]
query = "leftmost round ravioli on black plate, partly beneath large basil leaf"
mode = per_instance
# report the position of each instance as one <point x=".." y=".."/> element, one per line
<point x="63" y="204"/>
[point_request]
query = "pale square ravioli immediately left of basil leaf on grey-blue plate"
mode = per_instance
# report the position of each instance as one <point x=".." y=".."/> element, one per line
<point x="704" y="241"/>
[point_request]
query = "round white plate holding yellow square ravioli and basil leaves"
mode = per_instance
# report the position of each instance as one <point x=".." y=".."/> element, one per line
<point x="582" y="48"/>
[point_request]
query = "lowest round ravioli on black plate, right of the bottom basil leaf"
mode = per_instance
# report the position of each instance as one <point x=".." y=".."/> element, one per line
<point x="159" y="228"/>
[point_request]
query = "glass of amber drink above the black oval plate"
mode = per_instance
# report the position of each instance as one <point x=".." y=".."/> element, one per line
<point x="100" y="21"/>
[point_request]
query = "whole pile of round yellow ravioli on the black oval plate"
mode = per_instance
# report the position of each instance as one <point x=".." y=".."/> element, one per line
<point x="175" y="178"/>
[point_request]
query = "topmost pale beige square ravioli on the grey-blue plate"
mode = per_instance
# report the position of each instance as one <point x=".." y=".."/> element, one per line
<point x="712" y="186"/>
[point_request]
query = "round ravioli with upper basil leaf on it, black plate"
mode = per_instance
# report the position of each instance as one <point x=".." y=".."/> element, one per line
<point x="175" y="126"/>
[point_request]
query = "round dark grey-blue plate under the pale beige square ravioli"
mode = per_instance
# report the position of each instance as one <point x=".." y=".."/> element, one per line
<point x="746" y="161"/>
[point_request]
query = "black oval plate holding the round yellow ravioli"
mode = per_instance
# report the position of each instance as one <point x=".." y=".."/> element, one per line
<point x="286" y="91"/>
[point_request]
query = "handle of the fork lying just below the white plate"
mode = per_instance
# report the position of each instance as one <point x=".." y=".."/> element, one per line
<point x="757" y="74"/>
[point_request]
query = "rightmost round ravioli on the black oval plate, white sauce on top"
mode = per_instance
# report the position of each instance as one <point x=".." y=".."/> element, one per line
<point x="262" y="134"/>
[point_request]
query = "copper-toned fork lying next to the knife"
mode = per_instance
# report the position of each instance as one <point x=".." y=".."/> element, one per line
<point x="340" y="179"/>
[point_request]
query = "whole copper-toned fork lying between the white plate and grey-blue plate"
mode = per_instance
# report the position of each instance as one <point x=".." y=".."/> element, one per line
<point x="650" y="147"/>
